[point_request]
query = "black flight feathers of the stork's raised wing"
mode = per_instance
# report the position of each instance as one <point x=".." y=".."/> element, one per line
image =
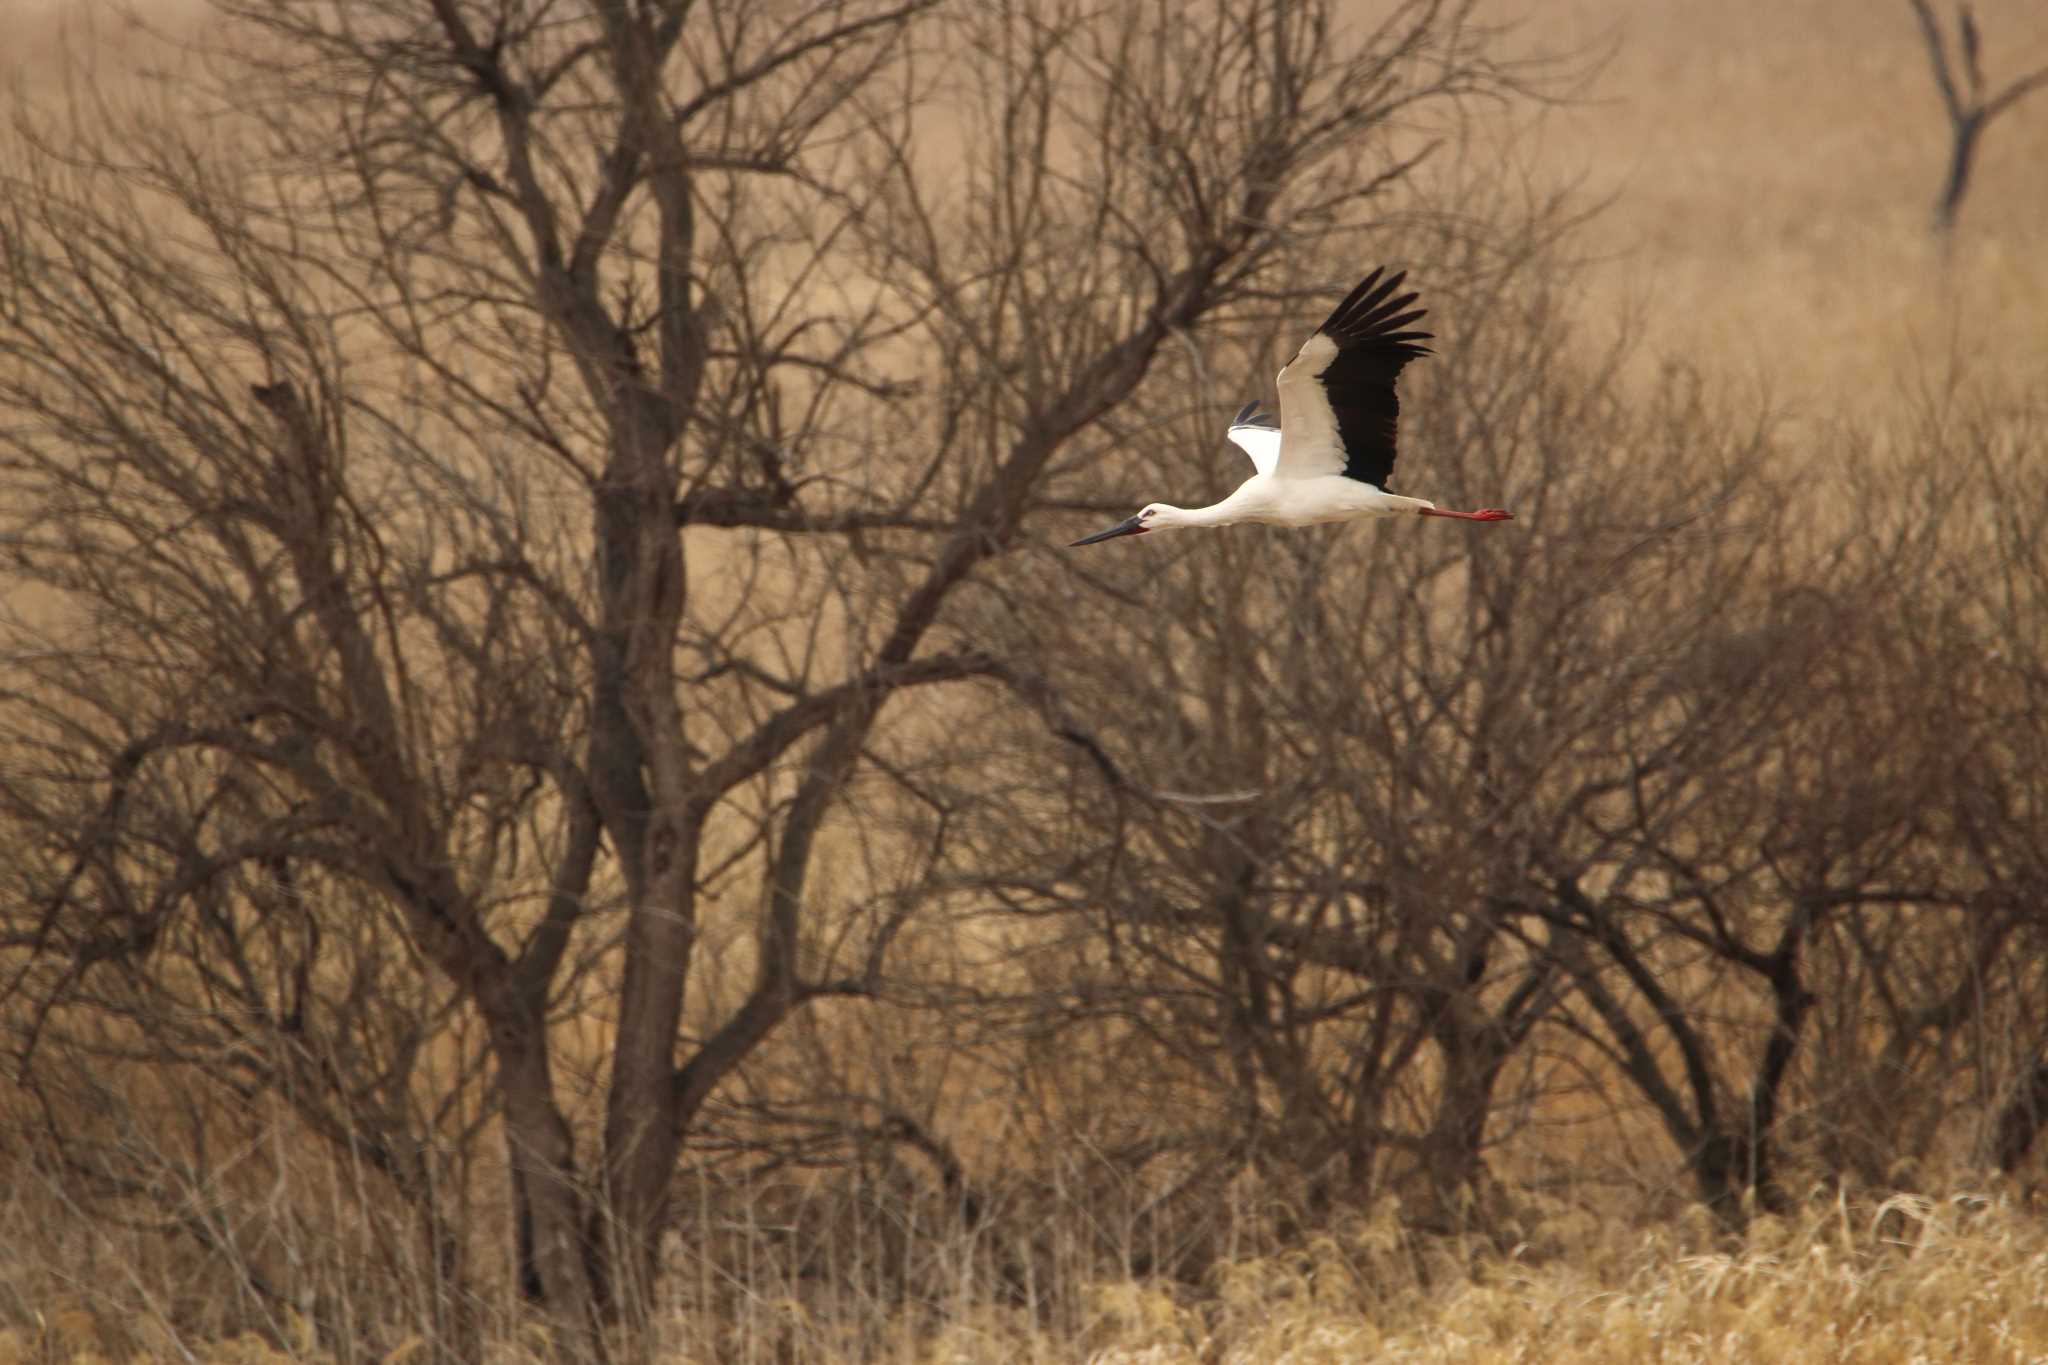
<point x="1361" y="382"/>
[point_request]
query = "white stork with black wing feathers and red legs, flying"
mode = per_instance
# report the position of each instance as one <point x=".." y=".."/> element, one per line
<point x="1334" y="447"/>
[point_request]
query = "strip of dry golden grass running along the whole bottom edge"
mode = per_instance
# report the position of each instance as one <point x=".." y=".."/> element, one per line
<point x="1961" y="1278"/>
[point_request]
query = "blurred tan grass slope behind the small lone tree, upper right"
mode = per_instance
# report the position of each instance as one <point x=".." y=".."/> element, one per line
<point x="1773" y="175"/>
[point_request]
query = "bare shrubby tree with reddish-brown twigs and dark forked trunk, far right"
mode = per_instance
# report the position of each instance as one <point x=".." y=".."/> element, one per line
<point x="1789" y="908"/>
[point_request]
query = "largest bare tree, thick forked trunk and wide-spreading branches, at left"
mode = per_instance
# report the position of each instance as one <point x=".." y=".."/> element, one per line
<point x="513" y="472"/>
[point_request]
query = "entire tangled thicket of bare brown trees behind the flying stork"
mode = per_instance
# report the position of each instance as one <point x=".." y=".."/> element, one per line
<point x="550" y="744"/>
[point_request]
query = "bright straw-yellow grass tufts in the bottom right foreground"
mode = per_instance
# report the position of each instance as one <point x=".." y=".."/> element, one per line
<point x="1908" y="1280"/>
